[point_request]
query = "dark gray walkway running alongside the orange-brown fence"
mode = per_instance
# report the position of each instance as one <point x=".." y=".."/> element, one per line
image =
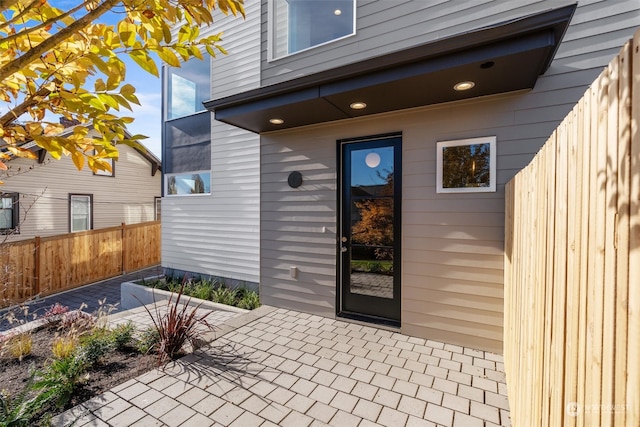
<point x="92" y="296"/>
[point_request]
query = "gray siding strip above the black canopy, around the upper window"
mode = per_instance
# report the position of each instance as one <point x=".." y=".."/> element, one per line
<point x="385" y="26"/>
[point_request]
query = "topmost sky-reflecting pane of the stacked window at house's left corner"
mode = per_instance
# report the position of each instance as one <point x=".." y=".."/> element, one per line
<point x="187" y="87"/>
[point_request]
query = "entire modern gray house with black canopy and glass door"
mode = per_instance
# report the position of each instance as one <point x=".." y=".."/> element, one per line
<point x="386" y="134"/>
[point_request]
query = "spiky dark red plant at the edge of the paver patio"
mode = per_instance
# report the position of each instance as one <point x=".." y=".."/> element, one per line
<point x="177" y="326"/>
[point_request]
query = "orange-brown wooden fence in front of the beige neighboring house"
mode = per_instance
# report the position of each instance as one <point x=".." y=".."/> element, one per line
<point x="47" y="265"/>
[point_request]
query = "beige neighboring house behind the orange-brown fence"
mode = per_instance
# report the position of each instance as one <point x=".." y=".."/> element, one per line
<point x="46" y="197"/>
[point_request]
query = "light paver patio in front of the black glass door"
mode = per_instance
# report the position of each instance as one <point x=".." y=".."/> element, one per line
<point x="280" y="367"/>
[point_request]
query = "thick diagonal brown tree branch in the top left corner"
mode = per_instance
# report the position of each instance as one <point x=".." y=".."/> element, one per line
<point x="53" y="41"/>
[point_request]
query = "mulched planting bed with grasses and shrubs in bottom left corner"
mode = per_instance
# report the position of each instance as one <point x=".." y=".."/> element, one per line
<point x="64" y="359"/>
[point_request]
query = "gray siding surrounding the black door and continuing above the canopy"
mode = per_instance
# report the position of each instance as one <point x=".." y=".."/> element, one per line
<point x="452" y="247"/>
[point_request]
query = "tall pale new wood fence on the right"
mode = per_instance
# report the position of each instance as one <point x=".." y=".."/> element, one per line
<point x="572" y="263"/>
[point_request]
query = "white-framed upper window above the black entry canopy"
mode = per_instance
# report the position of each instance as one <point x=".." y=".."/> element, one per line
<point x="297" y="25"/>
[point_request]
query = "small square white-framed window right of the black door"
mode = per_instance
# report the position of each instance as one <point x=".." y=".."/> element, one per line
<point x="466" y="165"/>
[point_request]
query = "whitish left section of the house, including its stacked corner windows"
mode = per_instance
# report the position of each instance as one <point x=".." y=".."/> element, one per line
<point x="215" y="233"/>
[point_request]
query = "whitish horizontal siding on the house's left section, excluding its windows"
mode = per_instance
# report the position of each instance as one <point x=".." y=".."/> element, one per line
<point x="218" y="234"/>
